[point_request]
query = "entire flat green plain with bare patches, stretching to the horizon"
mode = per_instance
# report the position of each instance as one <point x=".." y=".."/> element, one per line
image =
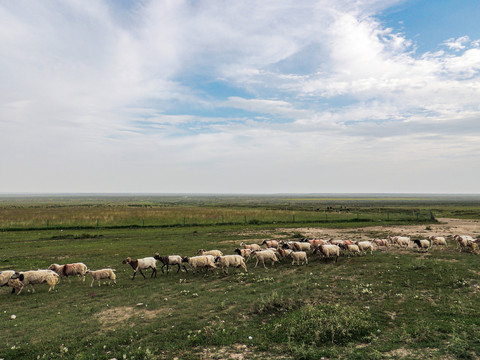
<point x="394" y="303"/>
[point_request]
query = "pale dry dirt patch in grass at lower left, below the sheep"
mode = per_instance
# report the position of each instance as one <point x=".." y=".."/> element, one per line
<point x="126" y="316"/>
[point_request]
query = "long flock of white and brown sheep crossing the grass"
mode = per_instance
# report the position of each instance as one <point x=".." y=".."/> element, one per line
<point x="273" y="251"/>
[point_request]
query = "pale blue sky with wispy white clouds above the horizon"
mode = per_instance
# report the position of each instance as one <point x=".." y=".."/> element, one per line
<point x="218" y="96"/>
